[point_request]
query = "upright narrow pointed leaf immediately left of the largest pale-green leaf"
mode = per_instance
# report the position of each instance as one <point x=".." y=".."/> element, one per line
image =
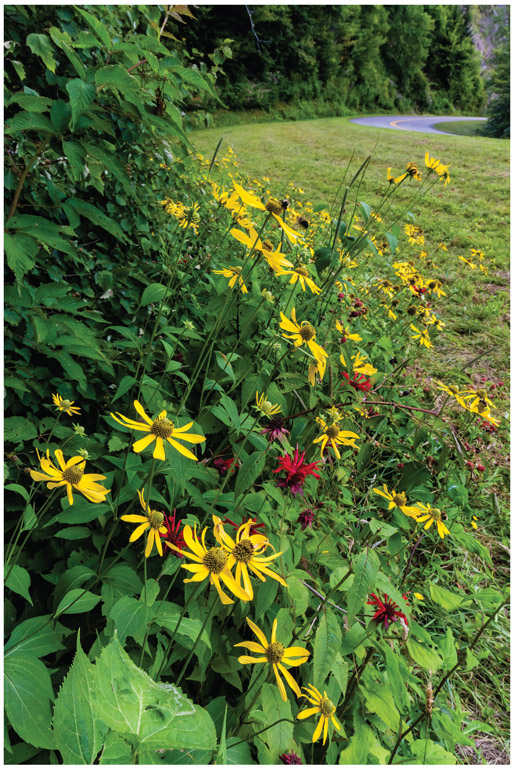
<point x="79" y="733"/>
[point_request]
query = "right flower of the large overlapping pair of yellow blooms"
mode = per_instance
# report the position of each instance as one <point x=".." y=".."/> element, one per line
<point x="246" y="553"/>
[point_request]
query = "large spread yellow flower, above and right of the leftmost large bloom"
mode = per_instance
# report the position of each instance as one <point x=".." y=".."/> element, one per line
<point x="158" y="430"/>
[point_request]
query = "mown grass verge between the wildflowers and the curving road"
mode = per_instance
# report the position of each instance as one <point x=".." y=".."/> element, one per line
<point x="471" y="212"/>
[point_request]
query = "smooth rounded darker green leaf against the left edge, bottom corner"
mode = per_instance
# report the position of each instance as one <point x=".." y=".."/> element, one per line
<point x="28" y="692"/>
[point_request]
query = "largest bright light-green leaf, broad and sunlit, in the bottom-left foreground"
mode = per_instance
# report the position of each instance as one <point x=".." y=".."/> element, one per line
<point x="157" y="716"/>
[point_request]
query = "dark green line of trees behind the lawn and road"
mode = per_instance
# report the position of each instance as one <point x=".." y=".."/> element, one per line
<point x="338" y="58"/>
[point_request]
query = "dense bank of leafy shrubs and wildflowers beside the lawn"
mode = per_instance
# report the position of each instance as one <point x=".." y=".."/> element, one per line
<point x="269" y="441"/>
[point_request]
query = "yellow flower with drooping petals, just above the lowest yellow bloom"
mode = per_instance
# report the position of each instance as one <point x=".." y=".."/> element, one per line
<point x="276" y="655"/>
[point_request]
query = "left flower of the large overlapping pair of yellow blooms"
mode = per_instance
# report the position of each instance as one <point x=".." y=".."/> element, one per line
<point x="211" y="563"/>
